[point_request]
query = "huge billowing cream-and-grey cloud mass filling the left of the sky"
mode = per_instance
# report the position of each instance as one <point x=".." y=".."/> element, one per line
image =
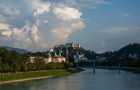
<point x="40" y="24"/>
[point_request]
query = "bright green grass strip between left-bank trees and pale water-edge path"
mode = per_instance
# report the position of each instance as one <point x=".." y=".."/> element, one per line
<point x="25" y="75"/>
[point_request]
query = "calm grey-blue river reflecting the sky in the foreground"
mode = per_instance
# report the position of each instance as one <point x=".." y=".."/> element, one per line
<point x="103" y="79"/>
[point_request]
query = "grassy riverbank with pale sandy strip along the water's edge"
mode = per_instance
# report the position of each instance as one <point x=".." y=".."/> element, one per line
<point x="26" y="76"/>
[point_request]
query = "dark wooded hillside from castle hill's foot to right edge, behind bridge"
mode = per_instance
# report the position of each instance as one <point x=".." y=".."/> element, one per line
<point x="127" y="56"/>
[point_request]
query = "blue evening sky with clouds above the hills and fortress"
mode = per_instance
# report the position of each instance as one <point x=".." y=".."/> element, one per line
<point x="99" y="25"/>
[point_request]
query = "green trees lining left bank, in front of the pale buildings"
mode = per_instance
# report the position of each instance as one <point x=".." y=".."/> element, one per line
<point x="11" y="61"/>
